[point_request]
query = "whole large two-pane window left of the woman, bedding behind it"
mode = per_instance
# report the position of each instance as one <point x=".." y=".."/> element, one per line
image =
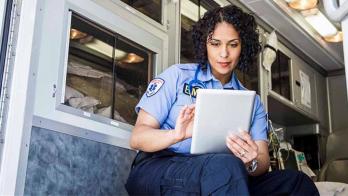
<point x="106" y="73"/>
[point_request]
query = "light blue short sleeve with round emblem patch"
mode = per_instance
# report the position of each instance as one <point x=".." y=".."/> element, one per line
<point x="160" y="94"/>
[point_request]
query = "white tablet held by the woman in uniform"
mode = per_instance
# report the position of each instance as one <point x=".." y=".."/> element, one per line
<point x="218" y="113"/>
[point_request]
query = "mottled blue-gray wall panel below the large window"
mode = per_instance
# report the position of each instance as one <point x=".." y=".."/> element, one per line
<point x="60" y="164"/>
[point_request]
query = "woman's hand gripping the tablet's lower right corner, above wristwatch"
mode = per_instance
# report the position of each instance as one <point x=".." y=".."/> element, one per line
<point x="243" y="147"/>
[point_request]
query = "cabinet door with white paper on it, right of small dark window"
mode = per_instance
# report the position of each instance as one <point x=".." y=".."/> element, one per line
<point x="304" y="88"/>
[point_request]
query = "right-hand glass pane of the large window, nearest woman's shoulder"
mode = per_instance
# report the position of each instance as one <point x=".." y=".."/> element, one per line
<point x="132" y="75"/>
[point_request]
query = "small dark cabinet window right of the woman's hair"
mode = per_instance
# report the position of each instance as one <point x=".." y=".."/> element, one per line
<point x="280" y="75"/>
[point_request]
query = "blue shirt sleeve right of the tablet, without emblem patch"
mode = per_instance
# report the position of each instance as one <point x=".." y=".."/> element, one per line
<point x="259" y="126"/>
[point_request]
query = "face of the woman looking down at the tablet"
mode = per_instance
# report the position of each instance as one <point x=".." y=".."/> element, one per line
<point x="223" y="51"/>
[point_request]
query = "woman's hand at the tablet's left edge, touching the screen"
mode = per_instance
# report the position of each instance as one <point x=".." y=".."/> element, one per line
<point x="184" y="123"/>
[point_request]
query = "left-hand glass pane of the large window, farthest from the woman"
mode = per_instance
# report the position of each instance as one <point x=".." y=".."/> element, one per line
<point x="90" y="67"/>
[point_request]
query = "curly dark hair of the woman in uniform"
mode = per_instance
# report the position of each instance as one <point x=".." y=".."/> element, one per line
<point x="244" y="24"/>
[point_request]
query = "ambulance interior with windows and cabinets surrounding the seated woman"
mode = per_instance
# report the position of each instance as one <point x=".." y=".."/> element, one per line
<point x="93" y="59"/>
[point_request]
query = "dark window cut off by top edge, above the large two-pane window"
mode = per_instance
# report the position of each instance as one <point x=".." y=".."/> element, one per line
<point x="151" y="8"/>
